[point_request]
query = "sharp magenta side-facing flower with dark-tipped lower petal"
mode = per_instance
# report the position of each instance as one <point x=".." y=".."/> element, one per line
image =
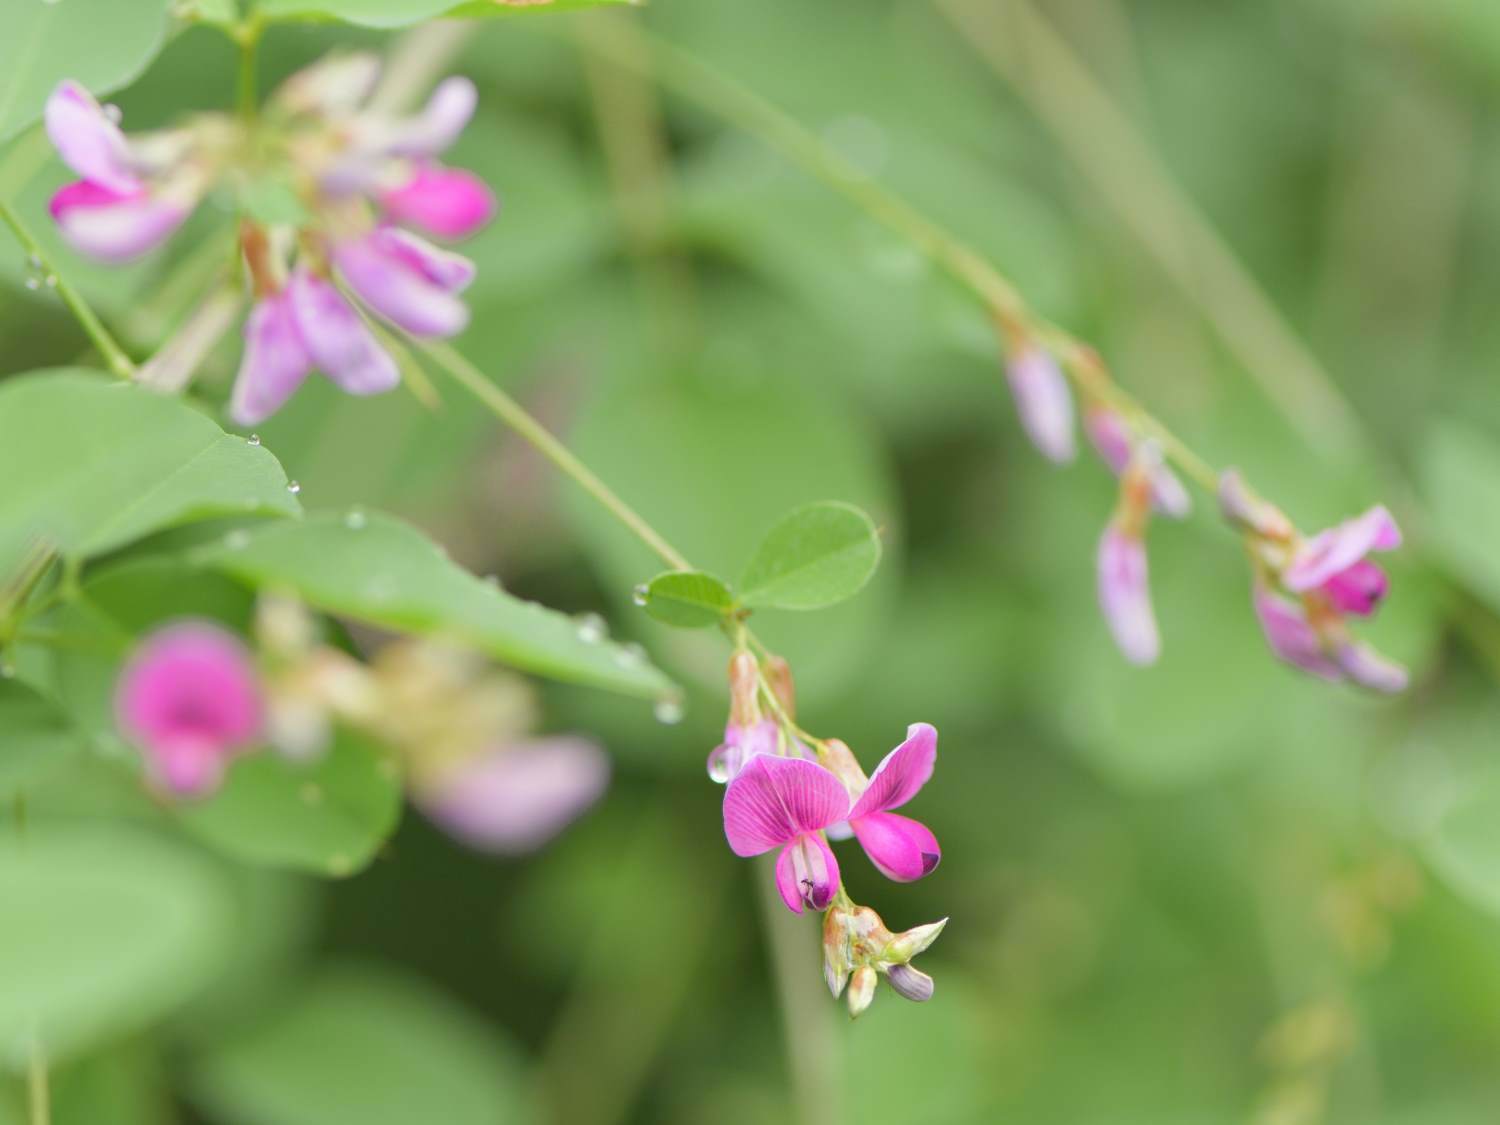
<point x="901" y="848"/>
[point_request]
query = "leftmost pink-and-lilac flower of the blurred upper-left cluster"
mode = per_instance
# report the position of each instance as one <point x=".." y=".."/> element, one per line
<point x="113" y="214"/>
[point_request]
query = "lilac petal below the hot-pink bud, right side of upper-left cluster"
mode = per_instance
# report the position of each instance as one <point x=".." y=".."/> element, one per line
<point x="407" y="281"/>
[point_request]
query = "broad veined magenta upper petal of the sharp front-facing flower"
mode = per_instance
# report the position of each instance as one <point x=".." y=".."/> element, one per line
<point x="775" y="800"/>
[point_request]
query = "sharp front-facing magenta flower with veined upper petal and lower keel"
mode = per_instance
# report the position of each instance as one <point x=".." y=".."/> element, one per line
<point x="787" y="803"/>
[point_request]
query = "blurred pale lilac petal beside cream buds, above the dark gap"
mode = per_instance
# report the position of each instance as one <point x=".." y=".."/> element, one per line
<point x="518" y="797"/>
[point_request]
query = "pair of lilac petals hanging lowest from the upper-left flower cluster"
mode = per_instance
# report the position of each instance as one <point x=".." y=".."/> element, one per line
<point x="290" y="334"/>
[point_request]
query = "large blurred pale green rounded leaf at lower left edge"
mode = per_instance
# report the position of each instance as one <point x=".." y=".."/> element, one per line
<point x="106" y="932"/>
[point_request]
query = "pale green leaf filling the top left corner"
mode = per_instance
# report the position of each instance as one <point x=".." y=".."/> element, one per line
<point x="103" y="44"/>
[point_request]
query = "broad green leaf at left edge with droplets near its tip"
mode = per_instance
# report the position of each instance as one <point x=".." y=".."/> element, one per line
<point x="92" y="464"/>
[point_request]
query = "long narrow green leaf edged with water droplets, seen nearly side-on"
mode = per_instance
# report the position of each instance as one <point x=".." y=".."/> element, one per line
<point x="385" y="572"/>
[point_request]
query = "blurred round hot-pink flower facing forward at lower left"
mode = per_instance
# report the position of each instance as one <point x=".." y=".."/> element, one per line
<point x="191" y="700"/>
